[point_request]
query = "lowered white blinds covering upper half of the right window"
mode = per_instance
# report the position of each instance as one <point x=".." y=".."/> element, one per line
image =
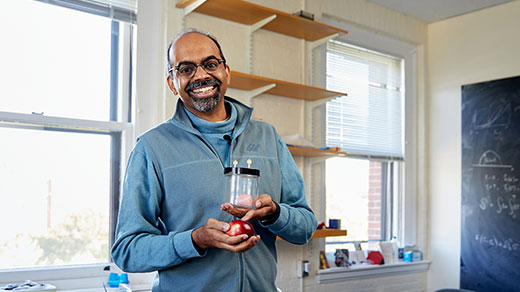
<point x="369" y="121"/>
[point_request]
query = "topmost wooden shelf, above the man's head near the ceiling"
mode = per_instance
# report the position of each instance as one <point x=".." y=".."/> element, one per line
<point x="249" y="13"/>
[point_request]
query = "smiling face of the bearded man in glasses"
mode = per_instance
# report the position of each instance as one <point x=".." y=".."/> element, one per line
<point x="203" y="93"/>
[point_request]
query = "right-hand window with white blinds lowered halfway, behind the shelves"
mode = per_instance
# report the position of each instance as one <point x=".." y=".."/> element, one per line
<point x="365" y="189"/>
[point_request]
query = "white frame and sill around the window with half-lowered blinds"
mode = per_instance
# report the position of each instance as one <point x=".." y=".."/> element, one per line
<point x="407" y="232"/>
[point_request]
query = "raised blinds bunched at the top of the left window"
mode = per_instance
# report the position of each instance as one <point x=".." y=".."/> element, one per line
<point x="121" y="10"/>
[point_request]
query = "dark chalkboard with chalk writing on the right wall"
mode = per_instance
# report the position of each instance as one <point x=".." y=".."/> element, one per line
<point x="490" y="226"/>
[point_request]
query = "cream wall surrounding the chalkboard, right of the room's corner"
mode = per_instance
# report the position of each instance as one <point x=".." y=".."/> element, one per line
<point x="477" y="47"/>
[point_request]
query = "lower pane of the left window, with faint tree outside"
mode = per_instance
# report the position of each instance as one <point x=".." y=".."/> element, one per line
<point x="55" y="192"/>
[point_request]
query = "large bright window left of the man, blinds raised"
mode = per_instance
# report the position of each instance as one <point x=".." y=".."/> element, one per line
<point x="65" y="112"/>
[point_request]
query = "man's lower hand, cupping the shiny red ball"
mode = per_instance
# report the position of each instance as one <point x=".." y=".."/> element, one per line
<point x="213" y="234"/>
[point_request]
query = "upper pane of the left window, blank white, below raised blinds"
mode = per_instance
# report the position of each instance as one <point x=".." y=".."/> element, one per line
<point x="59" y="67"/>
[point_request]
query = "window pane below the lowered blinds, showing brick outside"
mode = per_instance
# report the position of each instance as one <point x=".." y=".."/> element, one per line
<point x="354" y="196"/>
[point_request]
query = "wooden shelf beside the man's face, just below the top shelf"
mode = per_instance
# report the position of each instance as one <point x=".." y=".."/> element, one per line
<point x="245" y="81"/>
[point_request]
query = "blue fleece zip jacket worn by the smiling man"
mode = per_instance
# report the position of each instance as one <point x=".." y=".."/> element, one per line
<point x="175" y="182"/>
